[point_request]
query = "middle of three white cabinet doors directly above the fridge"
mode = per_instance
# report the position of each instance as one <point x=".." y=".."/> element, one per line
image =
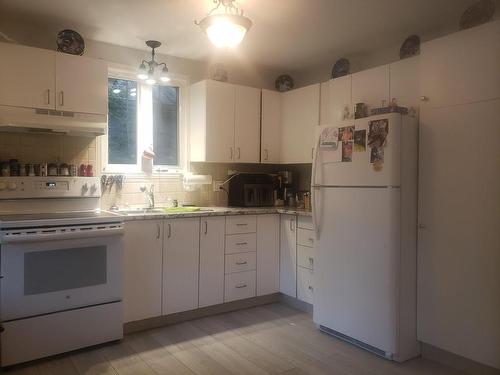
<point x="371" y="87"/>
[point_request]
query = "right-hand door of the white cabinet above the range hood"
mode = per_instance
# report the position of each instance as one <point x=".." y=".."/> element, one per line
<point x="81" y="84"/>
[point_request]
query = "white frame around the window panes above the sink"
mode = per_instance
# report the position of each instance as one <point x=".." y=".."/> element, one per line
<point x="142" y="140"/>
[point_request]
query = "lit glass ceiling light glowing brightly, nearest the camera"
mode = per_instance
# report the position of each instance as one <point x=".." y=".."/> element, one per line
<point x="225" y="25"/>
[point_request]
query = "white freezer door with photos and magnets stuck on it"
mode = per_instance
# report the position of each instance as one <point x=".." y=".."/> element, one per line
<point x="331" y="168"/>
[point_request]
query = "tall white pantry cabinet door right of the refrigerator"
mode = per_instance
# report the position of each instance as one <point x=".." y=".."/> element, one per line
<point x="458" y="242"/>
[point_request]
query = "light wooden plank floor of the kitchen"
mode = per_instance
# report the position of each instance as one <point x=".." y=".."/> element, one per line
<point x="270" y="339"/>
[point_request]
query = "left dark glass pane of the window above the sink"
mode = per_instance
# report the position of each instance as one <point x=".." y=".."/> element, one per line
<point x="122" y="121"/>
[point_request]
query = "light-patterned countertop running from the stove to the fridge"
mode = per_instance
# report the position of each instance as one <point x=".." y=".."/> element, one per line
<point x="214" y="211"/>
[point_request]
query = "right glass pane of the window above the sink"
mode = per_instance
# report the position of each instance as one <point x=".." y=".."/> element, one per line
<point x="165" y="129"/>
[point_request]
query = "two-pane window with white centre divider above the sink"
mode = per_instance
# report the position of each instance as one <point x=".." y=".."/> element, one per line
<point x="140" y="117"/>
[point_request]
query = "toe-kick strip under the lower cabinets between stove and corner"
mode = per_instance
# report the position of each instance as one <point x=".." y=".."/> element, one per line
<point x="160" y="321"/>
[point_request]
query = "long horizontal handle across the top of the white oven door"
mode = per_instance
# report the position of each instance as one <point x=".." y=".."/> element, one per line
<point x="58" y="235"/>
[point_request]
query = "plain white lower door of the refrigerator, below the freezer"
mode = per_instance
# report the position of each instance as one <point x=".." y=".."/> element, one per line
<point x="357" y="263"/>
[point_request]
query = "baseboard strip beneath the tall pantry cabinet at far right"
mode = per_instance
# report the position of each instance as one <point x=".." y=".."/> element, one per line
<point x="457" y="362"/>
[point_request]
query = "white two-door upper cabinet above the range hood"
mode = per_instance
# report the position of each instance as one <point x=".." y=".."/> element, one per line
<point x="38" y="78"/>
